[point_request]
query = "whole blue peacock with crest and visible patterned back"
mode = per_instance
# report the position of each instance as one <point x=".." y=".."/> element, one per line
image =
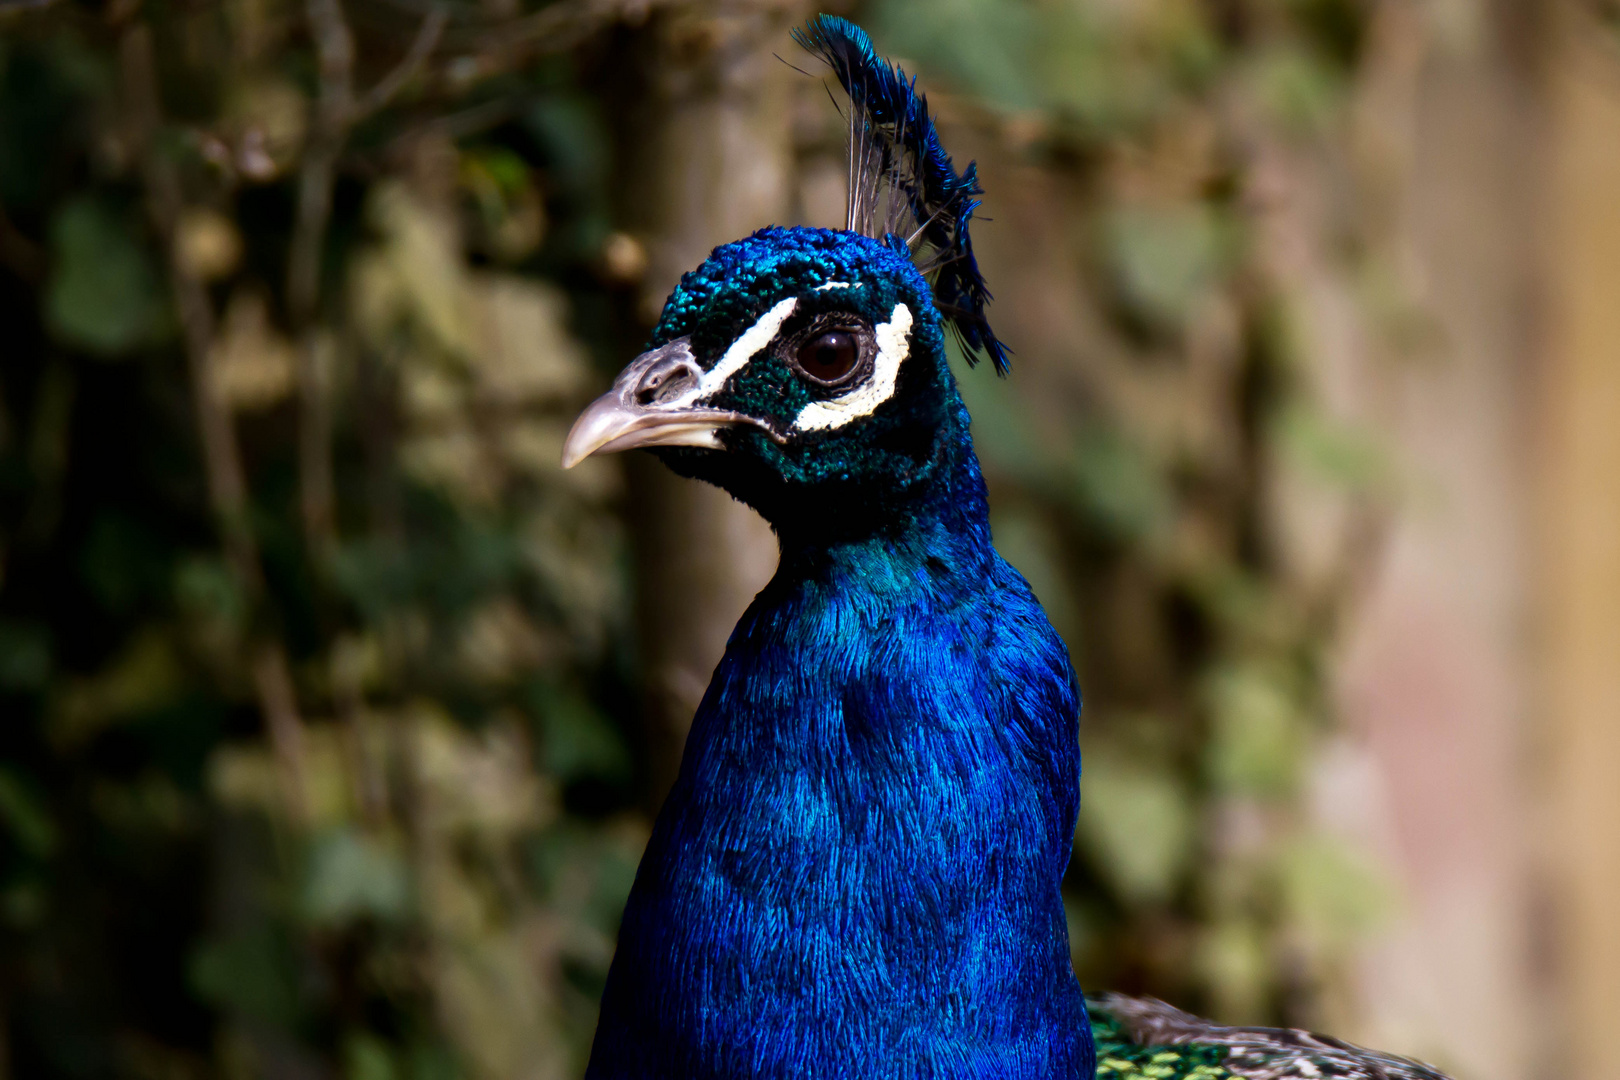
<point x="858" y="870"/>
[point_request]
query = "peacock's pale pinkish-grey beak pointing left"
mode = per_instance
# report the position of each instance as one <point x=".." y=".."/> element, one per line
<point x="652" y="406"/>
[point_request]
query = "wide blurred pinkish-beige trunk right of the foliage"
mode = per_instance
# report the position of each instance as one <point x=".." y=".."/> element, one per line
<point x="1435" y="681"/>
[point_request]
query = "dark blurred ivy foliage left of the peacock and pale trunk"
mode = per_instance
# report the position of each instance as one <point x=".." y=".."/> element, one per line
<point x="417" y="870"/>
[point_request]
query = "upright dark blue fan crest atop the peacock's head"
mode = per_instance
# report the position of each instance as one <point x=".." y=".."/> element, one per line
<point x="903" y="187"/>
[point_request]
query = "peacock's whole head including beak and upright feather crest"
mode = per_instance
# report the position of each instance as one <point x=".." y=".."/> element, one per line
<point x="804" y="370"/>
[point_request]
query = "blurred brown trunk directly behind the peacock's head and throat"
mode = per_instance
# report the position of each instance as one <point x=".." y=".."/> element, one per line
<point x="709" y="161"/>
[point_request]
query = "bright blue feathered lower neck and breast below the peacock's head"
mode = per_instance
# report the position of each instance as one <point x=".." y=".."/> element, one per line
<point x="864" y="835"/>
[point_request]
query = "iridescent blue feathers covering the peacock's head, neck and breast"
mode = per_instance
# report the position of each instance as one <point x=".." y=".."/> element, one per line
<point x="859" y="867"/>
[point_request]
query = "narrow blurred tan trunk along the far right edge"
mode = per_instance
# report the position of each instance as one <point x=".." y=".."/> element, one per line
<point x="1580" y="537"/>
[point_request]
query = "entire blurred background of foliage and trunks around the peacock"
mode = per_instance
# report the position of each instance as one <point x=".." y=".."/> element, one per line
<point x="335" y="715"/>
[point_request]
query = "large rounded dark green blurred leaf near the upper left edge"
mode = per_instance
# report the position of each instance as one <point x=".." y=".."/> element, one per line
<point x="103" y="294"/>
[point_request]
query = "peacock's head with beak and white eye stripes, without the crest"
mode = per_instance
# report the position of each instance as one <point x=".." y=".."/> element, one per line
<point x="799" y="370"/>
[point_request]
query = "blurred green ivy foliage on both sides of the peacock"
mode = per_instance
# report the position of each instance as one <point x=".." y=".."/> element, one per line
<point x="346" y="781"/>
